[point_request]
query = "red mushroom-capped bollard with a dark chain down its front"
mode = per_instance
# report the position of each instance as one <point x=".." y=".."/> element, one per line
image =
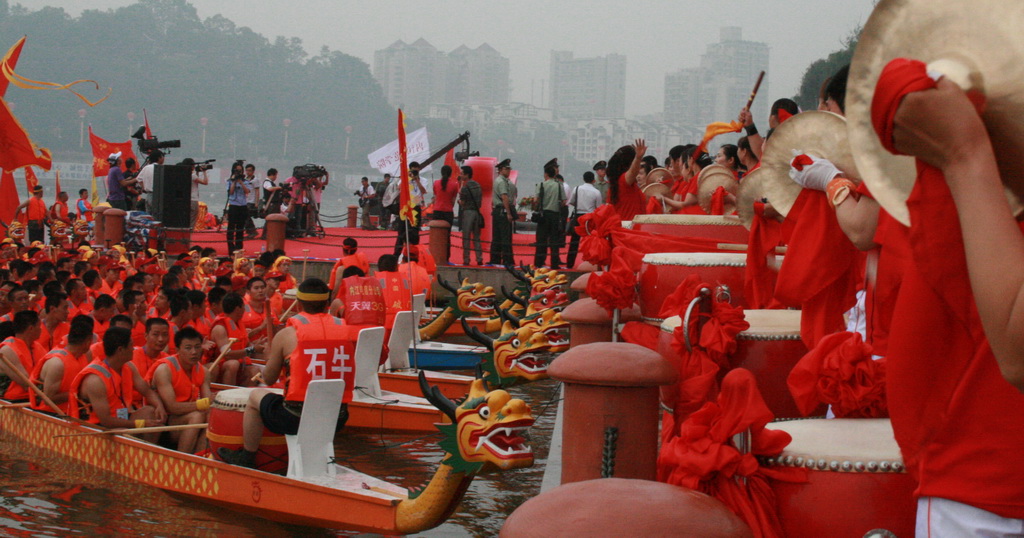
<point x="610" y="426"/>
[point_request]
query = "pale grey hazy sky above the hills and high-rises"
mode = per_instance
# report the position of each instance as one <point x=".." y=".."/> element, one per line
<point x="657" y="36"/>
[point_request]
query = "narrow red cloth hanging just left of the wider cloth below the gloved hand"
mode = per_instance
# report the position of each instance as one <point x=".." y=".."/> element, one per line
<point x="759" y="280"/>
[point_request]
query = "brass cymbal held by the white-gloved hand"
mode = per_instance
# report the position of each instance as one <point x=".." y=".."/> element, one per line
<point x="815" y="133"/>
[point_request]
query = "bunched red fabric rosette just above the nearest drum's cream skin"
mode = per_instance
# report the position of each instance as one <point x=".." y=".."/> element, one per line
<point x="840" y="373"/>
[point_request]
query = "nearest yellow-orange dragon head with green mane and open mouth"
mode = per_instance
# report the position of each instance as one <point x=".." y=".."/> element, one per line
<point x="487" y="430"/>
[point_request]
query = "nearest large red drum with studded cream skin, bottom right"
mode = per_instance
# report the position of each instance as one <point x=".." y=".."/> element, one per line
<point x="857" y="480"/>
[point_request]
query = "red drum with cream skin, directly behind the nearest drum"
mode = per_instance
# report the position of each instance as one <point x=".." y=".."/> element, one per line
<point x="770" y="349"/>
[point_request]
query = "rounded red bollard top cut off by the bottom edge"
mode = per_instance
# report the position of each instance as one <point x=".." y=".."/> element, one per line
<point x="624" y="508"/>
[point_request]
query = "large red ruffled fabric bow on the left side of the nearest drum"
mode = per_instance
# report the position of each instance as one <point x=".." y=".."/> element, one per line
<point x="704" y="459"/>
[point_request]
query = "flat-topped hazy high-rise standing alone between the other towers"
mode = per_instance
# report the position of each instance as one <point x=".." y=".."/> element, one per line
<point x="588" y="88"/>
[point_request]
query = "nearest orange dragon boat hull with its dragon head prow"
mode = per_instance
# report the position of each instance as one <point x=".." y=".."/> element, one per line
<point x="486" y="435"/>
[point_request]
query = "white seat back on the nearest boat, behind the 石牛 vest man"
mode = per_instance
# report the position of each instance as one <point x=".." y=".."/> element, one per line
<point x="311" y="451"/>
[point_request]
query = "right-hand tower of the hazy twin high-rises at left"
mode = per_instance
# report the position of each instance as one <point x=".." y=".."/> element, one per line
<point x="478" y="76"/>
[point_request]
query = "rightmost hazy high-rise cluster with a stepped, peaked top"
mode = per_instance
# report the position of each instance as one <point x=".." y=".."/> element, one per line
<point x="720" y="88"/>
